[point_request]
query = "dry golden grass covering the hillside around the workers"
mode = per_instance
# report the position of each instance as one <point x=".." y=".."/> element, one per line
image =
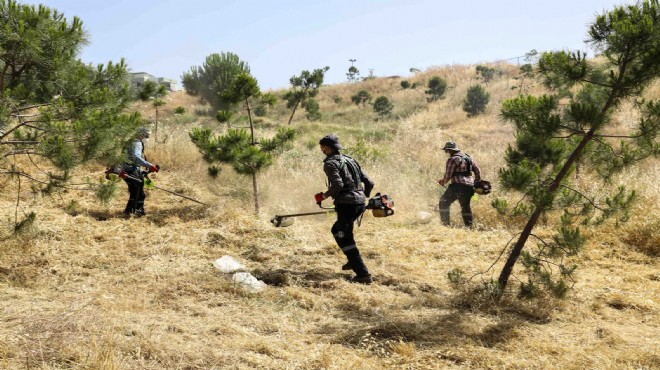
<point x="84" y="288"/>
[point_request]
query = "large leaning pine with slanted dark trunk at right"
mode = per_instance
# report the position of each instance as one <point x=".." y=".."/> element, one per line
<point x="550" y="139"/>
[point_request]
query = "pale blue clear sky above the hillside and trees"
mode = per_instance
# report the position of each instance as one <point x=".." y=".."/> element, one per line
<point x="279" y="39"/>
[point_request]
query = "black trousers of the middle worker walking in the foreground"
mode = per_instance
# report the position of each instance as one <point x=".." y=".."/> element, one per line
<point x="342" y="231"/>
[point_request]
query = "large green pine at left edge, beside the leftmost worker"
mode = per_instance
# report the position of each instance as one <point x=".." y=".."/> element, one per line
<point x="55" y="111"/>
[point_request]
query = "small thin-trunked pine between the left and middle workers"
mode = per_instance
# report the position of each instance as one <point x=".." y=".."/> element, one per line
<point x="246" y="154"/>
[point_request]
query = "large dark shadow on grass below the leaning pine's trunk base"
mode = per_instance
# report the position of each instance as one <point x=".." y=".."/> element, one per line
<point x="467" y="317"/>
